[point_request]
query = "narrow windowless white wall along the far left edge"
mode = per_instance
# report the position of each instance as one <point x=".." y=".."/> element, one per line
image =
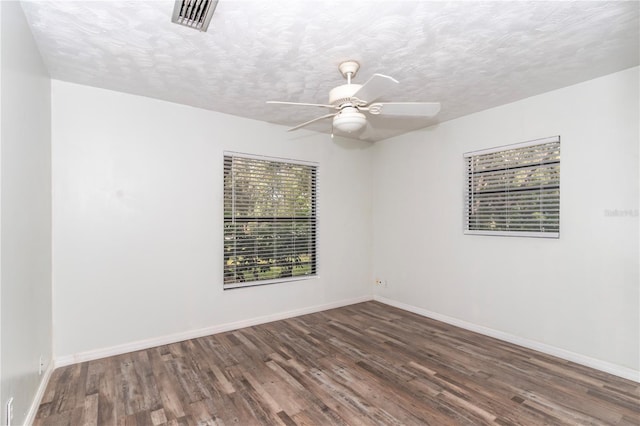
<point x="25" y="210"/>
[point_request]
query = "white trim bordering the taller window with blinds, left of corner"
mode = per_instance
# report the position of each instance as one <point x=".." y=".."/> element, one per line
<point x="285" y="160"/>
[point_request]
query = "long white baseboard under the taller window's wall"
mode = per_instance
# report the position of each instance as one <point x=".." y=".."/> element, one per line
<point x="192" y="334"/>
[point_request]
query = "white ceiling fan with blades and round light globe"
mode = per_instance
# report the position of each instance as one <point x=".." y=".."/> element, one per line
<point x="350" y="102"/>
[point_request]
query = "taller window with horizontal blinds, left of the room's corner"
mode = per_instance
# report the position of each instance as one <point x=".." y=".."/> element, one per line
<point x="270" y="220"/>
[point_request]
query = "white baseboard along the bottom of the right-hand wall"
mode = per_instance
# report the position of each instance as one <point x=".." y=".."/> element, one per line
<point x="607" y="367"/>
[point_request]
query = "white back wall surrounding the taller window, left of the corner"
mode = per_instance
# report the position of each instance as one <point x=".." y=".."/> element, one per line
<point x="137" y="219"/>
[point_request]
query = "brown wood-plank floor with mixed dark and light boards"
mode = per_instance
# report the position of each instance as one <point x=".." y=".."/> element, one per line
<point x="364" y="364"/>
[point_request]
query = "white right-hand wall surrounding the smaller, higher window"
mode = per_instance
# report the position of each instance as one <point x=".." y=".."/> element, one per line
<point x="579" y="293"/>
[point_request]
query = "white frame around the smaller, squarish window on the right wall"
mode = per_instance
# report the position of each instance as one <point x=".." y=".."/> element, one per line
<point x="468" y="199"/>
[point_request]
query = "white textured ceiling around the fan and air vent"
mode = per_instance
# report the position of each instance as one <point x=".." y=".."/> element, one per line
<point x="469" y="56"/>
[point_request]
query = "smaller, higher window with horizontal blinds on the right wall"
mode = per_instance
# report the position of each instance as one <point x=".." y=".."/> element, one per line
<point x="514" y="190"/>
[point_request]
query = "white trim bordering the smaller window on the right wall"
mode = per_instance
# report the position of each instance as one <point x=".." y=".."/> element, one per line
<point x="467" y="175"/>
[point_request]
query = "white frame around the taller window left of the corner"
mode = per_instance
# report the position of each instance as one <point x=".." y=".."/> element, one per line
<point x="314" y="221"/>
